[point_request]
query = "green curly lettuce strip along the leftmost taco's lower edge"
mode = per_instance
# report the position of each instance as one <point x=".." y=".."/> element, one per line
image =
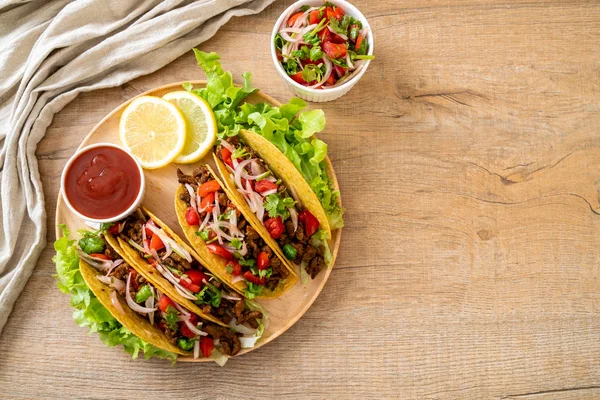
<point x="89" y="312"/>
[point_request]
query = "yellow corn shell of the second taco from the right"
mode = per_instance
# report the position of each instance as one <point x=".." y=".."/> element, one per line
<point x="218" y="265"/>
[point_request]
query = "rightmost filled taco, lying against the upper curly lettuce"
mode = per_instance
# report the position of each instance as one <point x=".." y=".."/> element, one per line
<point x="286" y="211"/>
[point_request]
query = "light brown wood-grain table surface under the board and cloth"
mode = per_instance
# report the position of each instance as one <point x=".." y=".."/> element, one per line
<point x="468" y="158"/>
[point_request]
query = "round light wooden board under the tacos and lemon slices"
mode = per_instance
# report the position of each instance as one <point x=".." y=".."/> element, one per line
<point x="160" y="191"/>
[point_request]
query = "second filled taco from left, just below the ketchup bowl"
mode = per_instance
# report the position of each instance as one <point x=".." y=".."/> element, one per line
<point x="160" y="256"/>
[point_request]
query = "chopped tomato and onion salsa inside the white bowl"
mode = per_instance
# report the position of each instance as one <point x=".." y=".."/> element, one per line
<point x="322" y="47"/>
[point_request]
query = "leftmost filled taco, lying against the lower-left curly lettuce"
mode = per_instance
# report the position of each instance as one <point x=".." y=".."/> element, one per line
<point x="148" y="312"/>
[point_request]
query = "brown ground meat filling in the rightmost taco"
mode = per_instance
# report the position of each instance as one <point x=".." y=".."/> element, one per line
<point x="305" y="252"/>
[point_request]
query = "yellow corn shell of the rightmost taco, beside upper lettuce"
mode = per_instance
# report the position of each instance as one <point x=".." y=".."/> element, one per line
<point x="287" y="172"/>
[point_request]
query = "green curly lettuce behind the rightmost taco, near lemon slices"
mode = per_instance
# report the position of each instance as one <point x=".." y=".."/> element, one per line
<point x="288" y="127"/>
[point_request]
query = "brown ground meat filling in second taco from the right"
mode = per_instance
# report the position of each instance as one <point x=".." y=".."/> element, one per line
<point x="254" y="242"/>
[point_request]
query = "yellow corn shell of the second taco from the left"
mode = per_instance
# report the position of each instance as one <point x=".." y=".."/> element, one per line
<point x="141" y="265"/>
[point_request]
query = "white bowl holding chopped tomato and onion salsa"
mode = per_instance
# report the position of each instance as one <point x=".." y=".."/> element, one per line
<point x="320" y="95"/>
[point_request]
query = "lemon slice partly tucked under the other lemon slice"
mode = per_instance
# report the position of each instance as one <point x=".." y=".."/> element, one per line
<point x="202" y="126"/>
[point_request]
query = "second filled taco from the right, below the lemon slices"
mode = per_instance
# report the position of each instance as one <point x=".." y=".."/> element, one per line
<point x="218" y="229"/>
